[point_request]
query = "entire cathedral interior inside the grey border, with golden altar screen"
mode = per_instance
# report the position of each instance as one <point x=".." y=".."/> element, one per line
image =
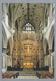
<point x="28" y="40"/>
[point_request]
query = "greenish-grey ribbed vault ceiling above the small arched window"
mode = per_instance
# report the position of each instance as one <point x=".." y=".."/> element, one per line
<point x="24" y="13"/>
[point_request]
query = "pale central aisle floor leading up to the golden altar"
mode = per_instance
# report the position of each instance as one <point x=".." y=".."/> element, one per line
<point x="27" y="74"/>
